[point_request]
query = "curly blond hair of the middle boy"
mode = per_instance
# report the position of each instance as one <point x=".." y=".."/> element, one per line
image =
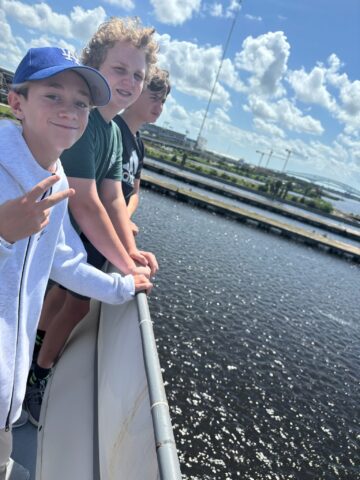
<point x="120" y="29"/>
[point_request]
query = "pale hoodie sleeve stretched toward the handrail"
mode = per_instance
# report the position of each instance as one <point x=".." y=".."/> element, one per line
<point x="70" y="269"/>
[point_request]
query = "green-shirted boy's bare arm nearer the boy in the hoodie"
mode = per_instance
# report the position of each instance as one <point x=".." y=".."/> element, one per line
<point x="94" y="221"/>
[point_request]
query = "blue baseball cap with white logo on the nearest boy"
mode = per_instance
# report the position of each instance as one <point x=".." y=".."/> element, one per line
<point x="44" y="62"/>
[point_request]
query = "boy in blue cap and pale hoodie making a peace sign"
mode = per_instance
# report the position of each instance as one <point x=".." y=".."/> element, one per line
<point x="51" y="96"/>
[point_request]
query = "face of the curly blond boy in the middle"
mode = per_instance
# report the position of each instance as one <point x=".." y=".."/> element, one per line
<point x="124" y="68"/>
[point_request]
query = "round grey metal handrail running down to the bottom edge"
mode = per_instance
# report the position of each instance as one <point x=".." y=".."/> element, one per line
<point x="169" y="465"/>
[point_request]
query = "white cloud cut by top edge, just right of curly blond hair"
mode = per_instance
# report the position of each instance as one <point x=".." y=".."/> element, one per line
<point x="175" y="12"/>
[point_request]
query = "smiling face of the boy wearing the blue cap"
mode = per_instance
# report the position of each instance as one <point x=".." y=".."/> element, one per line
<point x="55" y="113"/>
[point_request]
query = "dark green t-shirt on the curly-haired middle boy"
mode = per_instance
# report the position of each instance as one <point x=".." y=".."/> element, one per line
<point x="97" y="154"/>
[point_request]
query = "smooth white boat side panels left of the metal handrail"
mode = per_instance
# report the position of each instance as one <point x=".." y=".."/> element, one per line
<point x="76" y="439"/>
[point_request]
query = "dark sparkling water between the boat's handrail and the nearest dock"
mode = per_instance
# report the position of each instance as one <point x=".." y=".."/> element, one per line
<point x="259" y="340"/>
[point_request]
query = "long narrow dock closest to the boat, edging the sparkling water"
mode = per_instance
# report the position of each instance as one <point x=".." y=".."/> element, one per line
<point x="307" y="237"/>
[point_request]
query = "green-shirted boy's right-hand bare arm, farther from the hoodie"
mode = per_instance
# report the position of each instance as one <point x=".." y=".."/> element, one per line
<point x="113" y="199"/>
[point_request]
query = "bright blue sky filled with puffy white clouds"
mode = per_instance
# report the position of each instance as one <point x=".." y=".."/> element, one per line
<point x="290" y="78"/>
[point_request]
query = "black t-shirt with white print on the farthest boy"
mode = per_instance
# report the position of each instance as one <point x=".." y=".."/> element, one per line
<point x="133" y="157"/>
